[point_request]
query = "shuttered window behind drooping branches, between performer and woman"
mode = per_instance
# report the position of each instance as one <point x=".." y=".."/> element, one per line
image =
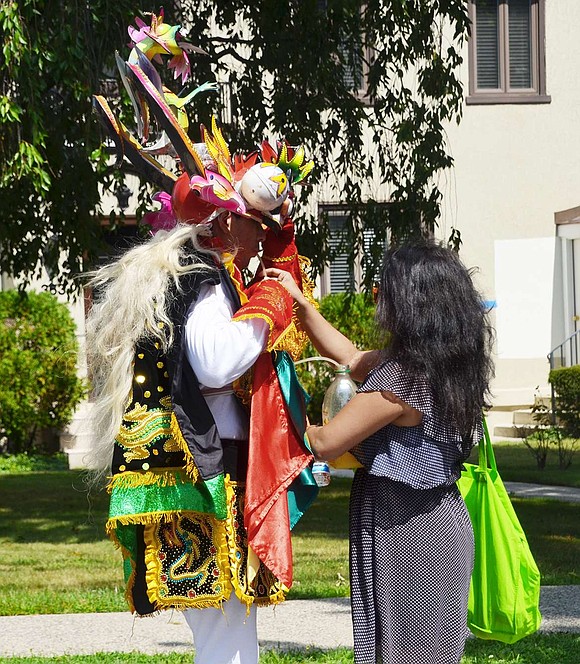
<point x="339" y="276"/>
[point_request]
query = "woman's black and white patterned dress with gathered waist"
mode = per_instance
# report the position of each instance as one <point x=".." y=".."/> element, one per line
<point x="411" y="541"/>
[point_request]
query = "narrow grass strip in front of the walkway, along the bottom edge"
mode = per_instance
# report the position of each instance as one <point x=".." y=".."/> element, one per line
<point x="537" y="649"/>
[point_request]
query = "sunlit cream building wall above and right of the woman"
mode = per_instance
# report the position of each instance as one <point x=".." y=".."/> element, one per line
<point x="516" y="165"/>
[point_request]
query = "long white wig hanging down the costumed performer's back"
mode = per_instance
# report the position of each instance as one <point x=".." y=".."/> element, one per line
<point x="131" y="301"/>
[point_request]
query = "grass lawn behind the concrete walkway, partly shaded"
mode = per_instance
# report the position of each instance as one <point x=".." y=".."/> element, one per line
<point x="54" y="557"/>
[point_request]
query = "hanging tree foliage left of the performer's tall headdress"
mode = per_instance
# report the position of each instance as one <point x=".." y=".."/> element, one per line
<point x="53" y="57"/>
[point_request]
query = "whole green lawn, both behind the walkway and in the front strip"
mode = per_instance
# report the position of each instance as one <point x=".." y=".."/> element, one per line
<point x="54" y="558"/>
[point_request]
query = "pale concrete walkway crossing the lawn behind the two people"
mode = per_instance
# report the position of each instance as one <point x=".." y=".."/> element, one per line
<point x="295" y="624"/>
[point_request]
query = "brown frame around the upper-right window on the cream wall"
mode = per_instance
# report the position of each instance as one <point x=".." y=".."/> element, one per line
<point x="505" y="95"/>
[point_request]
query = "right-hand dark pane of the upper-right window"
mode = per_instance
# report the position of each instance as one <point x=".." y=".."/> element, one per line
<point x="520" y="40"/>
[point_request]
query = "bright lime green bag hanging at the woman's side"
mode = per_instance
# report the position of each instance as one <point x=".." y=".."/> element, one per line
<point x="504" y="594"/>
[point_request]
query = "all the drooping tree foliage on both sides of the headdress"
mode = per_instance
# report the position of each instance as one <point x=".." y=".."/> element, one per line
<point x="291" y="68"/>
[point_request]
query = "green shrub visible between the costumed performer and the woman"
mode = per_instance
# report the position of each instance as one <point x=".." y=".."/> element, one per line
<point x="353" y="315"/>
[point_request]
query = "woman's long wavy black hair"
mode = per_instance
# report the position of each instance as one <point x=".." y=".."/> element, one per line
<point x="438" y="329"/>
